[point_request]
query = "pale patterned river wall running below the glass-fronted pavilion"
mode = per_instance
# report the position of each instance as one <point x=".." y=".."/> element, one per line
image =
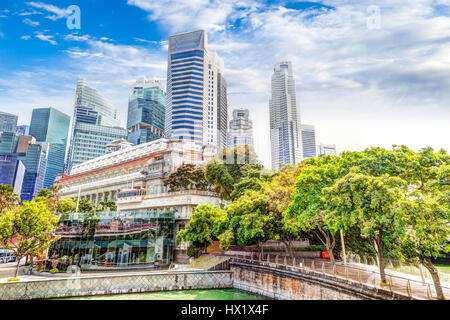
<point x="116" y="284"/>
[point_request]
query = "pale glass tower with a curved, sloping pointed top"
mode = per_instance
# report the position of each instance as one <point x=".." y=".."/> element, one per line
<point x="94" y="125"/>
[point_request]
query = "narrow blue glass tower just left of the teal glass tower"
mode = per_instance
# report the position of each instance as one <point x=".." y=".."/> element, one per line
<point x="34" y="156"/>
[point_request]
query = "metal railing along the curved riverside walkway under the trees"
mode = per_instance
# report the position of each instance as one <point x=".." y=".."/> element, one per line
<point x="395" y="284"/>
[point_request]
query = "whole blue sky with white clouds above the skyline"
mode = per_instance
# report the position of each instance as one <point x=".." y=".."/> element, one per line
<point x="360" y="84"/>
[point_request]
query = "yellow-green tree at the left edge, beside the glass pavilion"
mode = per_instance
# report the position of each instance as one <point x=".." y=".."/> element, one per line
<point x="28" y="230"/>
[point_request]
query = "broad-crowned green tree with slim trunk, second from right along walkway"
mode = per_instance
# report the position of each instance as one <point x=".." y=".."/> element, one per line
<point x="371" y="203"/>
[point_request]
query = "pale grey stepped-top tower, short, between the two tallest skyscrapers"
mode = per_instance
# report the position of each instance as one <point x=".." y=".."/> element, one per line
<point x="241" y="129"/>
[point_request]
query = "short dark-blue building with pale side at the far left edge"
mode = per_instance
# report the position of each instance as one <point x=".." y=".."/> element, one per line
<point x="12" y="171"/>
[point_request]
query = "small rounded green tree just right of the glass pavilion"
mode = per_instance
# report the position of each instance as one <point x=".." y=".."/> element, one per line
<point x="203" y="226"/>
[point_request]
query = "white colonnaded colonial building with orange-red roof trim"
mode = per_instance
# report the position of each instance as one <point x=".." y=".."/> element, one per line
<point x="133" y="177"/>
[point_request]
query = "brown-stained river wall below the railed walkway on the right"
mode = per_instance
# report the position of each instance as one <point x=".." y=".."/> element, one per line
<point x="288" y="283"/>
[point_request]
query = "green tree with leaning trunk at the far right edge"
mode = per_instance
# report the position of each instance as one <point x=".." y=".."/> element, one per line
<point x="426" y="234"/>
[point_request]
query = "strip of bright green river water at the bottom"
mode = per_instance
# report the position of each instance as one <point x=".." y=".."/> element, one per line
<point x="218" y="294"/>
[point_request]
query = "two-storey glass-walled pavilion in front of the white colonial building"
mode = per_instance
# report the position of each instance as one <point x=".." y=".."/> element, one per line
<point x="115" y="239"/>
